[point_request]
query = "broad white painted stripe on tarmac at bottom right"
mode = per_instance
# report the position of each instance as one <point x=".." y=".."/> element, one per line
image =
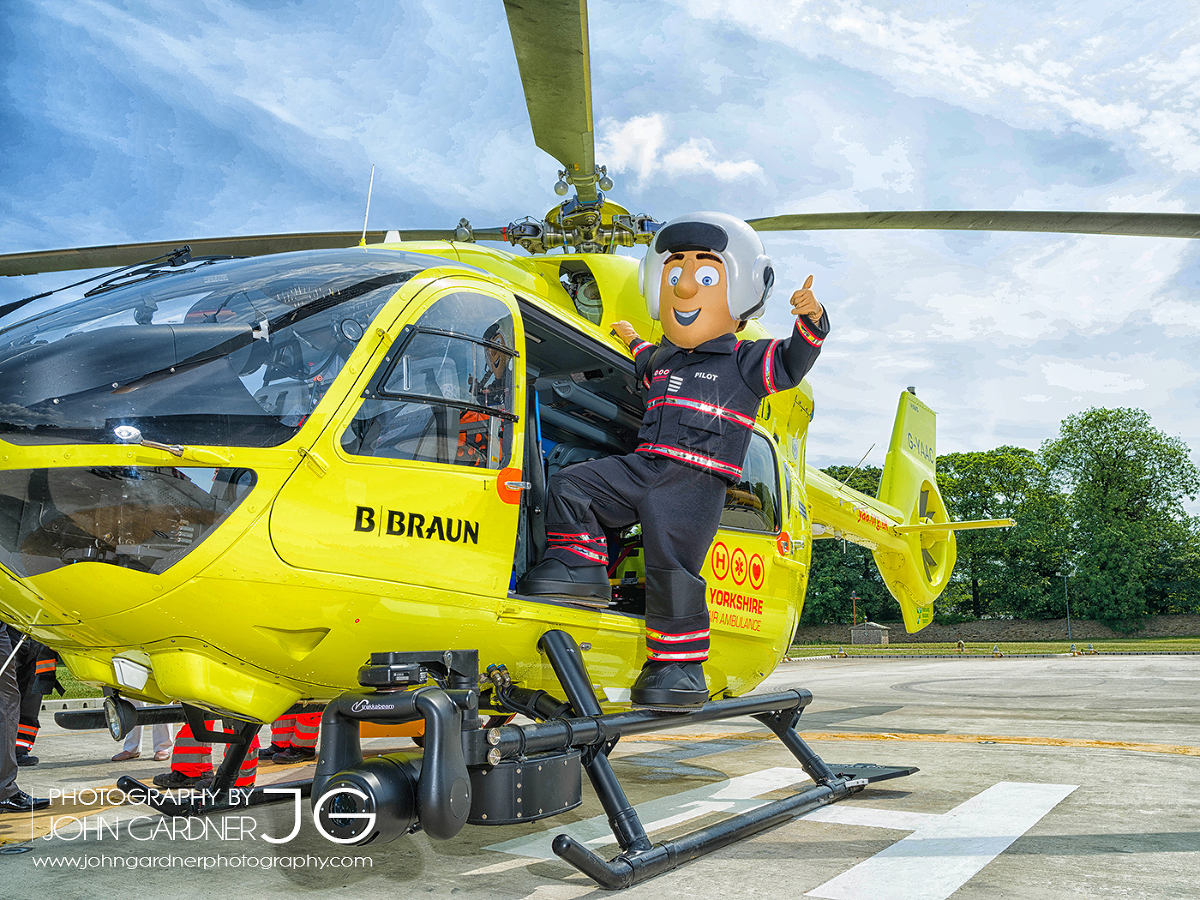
<point x="945" y="853"/>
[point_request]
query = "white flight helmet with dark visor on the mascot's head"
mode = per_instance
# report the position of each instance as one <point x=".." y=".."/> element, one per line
<point x="749" y="277"/>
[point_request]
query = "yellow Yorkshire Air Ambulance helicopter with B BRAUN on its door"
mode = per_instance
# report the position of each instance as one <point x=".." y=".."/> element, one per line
<point x="231" y="475"/>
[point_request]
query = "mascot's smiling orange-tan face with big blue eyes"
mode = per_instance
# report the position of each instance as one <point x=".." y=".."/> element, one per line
<point x="693" y="299"/>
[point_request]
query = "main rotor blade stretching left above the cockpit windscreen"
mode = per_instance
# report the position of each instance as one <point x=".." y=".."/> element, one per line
<point x="116" y="255"/>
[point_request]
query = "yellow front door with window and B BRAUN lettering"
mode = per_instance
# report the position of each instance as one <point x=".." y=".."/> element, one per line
<point x="418" y="479"/>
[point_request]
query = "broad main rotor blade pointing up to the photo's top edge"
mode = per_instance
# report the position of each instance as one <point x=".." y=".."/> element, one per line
<point x="551" y="43"/>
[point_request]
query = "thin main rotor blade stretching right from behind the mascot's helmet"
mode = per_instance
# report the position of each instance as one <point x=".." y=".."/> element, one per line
<point x="1151" y="225"/>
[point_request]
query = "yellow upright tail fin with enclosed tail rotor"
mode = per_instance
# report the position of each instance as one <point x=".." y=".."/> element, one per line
<point x="910" y="485"/>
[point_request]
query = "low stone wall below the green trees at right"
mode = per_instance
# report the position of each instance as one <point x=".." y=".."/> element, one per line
<point x="995" y="631"/>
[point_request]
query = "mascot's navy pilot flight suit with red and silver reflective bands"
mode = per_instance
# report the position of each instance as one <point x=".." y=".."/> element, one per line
<point x="693" y="443"/>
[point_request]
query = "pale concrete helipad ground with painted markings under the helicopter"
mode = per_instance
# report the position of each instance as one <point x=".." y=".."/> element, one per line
<point x="1040" y="778"/>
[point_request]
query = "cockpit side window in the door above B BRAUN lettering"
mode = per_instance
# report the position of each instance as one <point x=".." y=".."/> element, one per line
<point x="446" y="392"/>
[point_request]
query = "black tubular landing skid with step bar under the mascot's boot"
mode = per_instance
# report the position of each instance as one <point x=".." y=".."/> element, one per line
<point x="641" y="860"/>
